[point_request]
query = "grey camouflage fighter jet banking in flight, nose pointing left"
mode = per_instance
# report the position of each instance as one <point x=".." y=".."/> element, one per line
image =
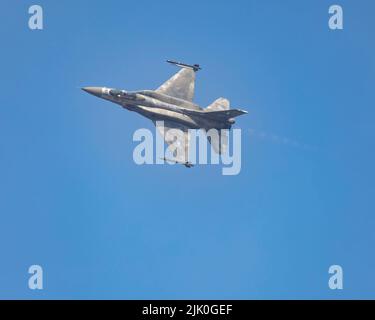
<point x="173" y="104"/>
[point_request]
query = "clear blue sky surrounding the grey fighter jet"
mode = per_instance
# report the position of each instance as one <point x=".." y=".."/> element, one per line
<point x="73" y="201"/>
